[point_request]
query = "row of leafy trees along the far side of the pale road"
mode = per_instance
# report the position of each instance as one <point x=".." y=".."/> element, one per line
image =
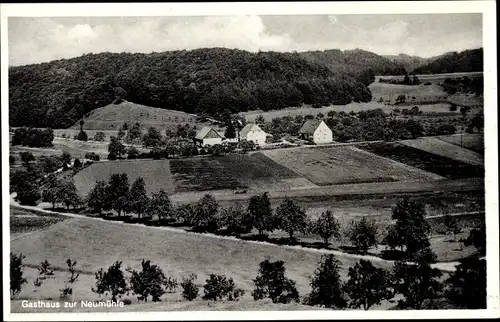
<point x="409" y="234"/>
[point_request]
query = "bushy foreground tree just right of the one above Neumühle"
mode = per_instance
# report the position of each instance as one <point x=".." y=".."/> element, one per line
<point x="149" y="281"/>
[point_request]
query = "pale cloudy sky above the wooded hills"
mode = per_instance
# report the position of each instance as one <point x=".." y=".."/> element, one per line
<point x="36" y="40"/>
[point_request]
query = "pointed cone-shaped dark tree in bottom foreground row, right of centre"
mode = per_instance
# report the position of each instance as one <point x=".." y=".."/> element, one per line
<point x="326" y="284"/>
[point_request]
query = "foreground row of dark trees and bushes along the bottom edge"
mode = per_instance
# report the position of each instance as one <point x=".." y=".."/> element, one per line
<point x="366" y="286"/>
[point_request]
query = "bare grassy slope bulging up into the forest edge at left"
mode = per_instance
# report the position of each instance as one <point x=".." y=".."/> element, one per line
<point x="112" y="117"/>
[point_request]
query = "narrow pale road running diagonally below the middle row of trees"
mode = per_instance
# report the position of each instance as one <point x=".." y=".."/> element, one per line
<point x="443" y="266"/>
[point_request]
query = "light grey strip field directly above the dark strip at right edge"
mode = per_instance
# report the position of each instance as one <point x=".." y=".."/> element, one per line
<point x="445" y="149"/>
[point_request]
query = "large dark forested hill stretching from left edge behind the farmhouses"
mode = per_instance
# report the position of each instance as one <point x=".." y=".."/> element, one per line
<point x="210" y="81"/>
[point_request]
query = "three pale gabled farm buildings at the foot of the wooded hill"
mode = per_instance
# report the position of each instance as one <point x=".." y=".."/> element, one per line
<point x="314" y="130"/>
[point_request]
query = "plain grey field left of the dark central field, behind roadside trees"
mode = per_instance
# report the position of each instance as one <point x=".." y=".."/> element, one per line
<point x="156" y="174"/>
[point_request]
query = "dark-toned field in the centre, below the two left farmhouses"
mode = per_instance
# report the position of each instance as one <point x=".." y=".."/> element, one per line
<point x="233" y="171"/>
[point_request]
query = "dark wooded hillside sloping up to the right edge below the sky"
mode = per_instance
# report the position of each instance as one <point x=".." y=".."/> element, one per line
<point x="465" y="61"/>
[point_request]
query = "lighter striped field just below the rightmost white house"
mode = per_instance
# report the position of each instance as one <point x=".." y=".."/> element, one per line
<point x="343" y="165"/>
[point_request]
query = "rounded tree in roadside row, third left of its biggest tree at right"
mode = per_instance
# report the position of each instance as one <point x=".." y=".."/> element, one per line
<point x="290" y="217"/>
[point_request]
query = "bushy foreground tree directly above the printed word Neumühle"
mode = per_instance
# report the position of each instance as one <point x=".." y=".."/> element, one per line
<point x="111" y="281"/>
